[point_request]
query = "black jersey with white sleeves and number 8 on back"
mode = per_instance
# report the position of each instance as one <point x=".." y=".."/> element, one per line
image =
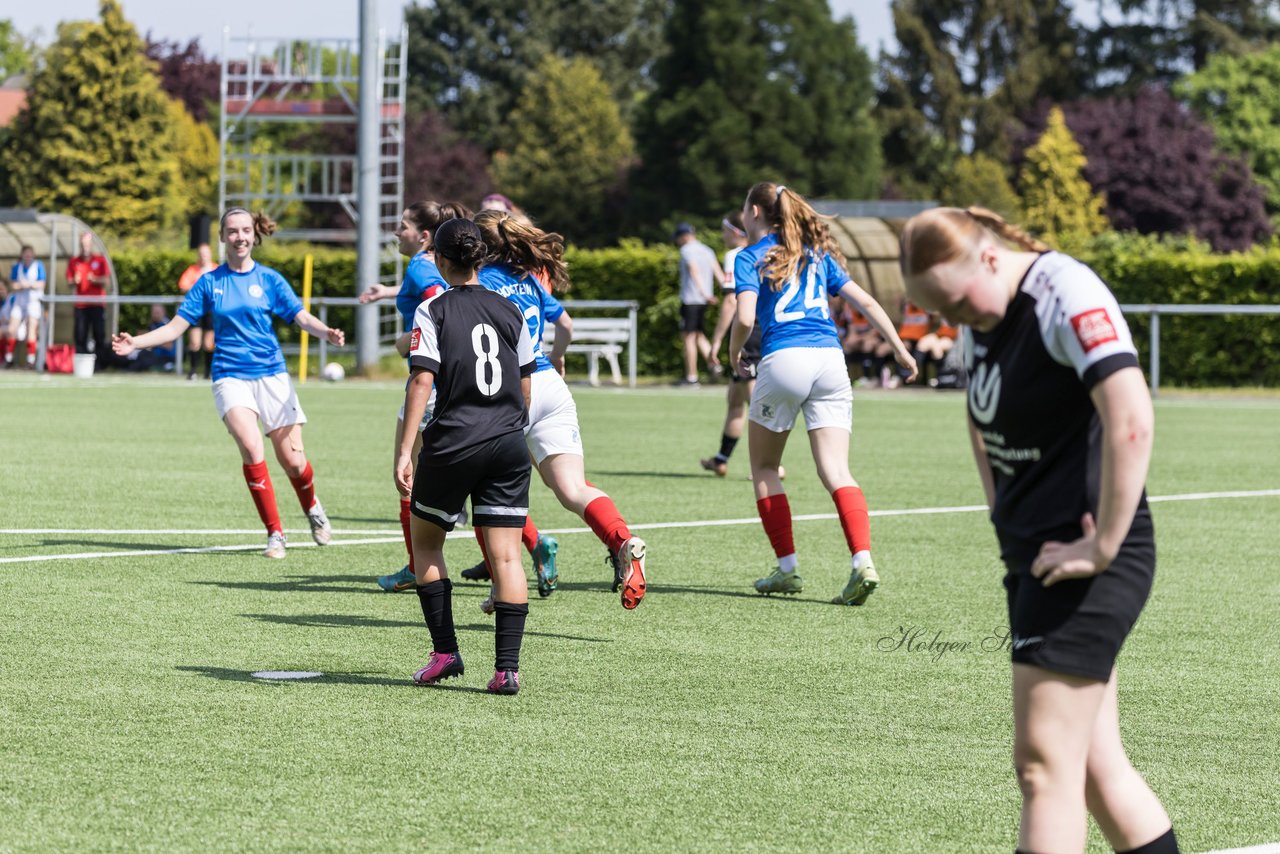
<point x="478" y="346"/>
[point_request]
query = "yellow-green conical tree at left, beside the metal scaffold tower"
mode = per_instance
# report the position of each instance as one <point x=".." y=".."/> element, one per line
<point x="95" y="138"/>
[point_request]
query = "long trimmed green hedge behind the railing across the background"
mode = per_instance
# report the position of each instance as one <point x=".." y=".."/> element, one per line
<point x="1195" y="351"/>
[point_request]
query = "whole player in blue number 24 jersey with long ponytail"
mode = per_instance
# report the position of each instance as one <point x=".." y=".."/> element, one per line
<point x="784" y="280"/>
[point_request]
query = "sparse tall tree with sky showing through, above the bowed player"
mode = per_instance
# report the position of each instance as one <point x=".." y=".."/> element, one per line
<point x="962" y="76"/>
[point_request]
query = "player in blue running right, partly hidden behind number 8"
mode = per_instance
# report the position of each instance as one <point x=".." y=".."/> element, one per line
<point x="518" y="253"/>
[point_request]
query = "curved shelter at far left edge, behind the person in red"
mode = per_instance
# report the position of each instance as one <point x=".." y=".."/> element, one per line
<point x="54" y="238"/>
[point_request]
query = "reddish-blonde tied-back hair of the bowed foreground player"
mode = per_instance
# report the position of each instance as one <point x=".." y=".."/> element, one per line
<point x="944" y="235"/>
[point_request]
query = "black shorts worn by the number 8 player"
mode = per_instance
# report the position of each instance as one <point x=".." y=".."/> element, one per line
<point x="495" y="476"/>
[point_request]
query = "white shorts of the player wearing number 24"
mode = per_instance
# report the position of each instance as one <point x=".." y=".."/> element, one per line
<point x="803" y="380"/>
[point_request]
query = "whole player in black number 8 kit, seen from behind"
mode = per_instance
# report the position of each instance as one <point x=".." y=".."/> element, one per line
<point x="473" y="348"/>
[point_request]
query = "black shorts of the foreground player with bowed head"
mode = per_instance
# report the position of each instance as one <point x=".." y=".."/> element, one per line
<point x="1078" y="627"/>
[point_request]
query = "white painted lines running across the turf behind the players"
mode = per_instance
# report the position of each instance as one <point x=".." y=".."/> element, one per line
<point x="396" y="537"/>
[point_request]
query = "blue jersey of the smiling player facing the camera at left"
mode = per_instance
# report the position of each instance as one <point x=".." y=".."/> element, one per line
<point x="243" y="305"/>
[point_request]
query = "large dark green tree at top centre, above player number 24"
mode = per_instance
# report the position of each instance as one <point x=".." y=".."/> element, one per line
<point x="753" y="92"/>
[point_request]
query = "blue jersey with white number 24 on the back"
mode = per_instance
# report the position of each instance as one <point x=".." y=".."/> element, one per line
<point x="798" y="316"/>
